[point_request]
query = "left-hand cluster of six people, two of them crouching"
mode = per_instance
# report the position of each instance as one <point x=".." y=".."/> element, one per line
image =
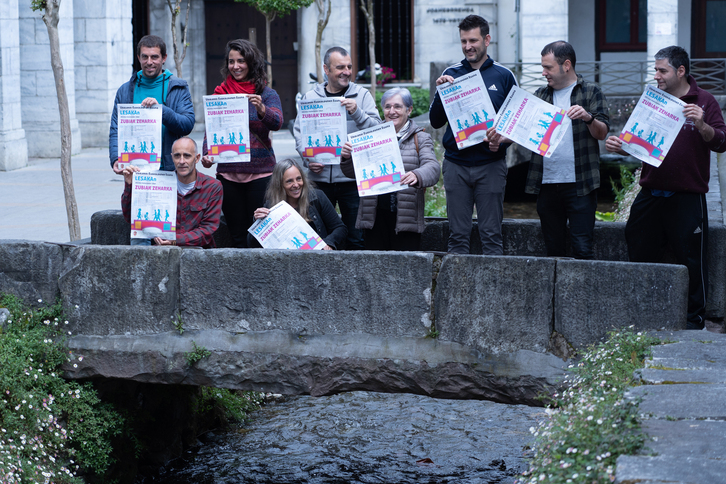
<point x="245" y="192"/>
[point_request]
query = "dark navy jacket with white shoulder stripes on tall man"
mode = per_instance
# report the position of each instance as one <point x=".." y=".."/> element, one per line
<point x="499" y="81"/>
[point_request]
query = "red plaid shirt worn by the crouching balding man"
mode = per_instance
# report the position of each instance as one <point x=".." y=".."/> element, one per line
<point x="197" y="213"/>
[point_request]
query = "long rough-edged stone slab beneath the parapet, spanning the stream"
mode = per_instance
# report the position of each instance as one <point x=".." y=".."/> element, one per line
<point x="282" y="362"/>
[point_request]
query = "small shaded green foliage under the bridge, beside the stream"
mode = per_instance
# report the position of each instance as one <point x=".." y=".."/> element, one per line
<point x="230" y="405"/>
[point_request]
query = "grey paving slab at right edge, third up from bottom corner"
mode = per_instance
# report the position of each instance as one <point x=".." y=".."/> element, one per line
<point x="682" y="402"/>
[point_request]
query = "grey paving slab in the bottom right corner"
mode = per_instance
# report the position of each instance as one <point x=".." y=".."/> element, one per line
<point x="669" y="470"/>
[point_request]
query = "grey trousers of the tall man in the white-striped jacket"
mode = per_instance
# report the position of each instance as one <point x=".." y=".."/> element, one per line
<point x="483" y="185"/>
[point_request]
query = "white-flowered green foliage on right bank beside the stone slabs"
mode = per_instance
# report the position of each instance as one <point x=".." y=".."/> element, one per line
<point x="590" y="424"/>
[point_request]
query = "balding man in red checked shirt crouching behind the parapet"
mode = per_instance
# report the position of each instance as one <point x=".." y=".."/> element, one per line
<point x="198" y="199"/>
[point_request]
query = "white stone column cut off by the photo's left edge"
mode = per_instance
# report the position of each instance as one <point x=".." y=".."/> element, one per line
<point x="13" y="145"/>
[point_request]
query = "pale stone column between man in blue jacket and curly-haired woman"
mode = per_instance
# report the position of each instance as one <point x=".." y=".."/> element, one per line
<point x="195" y="63"/>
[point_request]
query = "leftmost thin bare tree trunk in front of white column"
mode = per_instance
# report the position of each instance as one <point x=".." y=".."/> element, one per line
<point x="51" y="22"/>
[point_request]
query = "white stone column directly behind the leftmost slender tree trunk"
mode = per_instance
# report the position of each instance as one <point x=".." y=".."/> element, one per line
<point x="41" y="119"/>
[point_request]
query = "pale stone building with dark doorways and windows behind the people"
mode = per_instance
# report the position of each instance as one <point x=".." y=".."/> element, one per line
<point x="98" y="37"/>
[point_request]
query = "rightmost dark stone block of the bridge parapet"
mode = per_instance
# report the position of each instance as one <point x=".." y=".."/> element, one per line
<point x="593" y="297"/>
